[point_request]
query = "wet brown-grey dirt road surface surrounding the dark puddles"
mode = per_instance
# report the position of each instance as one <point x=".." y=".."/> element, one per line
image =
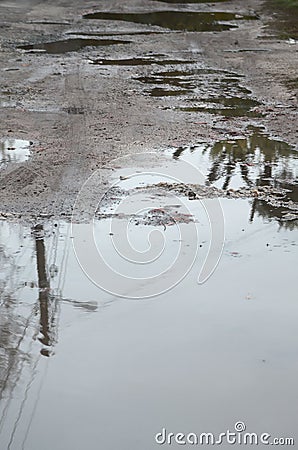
<point x="79" y="116"/>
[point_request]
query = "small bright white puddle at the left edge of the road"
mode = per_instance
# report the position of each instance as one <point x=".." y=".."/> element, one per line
<point x="14" y="151"/>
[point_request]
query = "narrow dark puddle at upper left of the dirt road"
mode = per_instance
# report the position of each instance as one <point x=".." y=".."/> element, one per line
<point x="69" y="45"/>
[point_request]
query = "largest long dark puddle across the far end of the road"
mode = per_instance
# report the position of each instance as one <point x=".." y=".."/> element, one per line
<point x="176" y="20"/>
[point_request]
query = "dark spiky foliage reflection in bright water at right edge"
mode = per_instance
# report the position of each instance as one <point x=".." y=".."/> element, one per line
<point x="256" y="161"/>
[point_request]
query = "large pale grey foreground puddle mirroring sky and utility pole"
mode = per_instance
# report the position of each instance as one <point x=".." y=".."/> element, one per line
<point x="67" y="348"/>
